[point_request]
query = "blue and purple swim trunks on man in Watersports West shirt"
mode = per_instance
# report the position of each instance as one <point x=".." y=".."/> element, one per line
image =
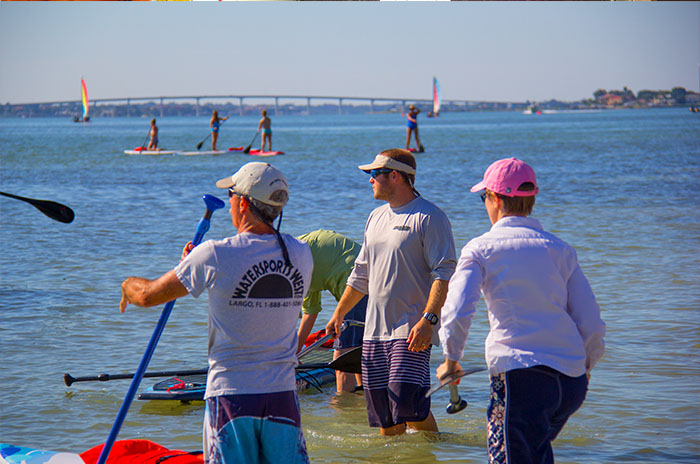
<point x="252" y="429"/>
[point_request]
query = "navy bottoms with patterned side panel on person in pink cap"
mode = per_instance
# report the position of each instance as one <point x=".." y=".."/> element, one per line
<point x="528" y="409"/>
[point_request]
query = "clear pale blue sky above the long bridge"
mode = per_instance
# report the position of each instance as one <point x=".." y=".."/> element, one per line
<point x="489" y="51"/>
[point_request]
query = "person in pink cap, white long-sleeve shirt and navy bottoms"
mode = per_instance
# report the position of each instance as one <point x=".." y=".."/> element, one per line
<point x="546" y="331"/>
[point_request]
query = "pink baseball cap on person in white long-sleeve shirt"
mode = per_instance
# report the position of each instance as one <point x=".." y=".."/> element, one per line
<point x="506" y="176"/>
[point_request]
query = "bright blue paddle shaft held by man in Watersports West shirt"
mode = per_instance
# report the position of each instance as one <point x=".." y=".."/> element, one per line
<point x="212" y="204"/>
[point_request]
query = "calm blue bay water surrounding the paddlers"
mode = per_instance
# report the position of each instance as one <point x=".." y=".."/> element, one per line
<point x="621" y="186"/>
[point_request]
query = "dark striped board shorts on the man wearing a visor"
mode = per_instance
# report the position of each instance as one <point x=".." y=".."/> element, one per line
<point x="395" y="382"/>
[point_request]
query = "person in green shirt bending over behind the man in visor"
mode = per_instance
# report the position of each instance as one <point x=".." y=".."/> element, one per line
<point x="334" y="256"/>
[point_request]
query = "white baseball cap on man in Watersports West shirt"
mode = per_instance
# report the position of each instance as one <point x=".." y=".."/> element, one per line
<point x="260" y="181"/>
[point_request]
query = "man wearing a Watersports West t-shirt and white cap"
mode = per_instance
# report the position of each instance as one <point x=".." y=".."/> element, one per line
<point x="256" y="281"/>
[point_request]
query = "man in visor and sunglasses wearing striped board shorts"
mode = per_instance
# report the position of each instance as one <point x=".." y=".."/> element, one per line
<point x="405" y="264"/>
